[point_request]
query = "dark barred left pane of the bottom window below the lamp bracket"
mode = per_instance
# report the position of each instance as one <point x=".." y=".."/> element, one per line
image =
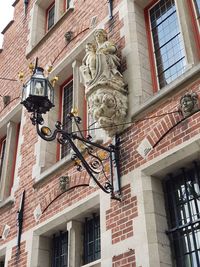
<point x="60" y="250"/>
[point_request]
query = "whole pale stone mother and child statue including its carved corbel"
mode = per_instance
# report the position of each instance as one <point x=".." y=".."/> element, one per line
<point x="104" y="86"/>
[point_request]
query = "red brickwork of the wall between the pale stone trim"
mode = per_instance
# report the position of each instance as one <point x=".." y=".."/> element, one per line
<point x="119" y="218"/>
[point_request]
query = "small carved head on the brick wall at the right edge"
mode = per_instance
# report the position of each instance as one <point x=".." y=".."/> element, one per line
<point x="189" y="104"/>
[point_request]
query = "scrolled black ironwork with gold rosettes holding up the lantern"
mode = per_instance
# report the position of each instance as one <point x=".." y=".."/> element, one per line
<point x="95" y="166"/>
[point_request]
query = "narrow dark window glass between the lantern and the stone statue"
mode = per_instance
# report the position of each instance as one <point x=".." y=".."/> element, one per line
<point x="67" y="107"/>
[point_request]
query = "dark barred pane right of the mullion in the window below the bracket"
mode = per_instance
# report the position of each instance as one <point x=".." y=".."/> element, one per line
<point x="92" y="239"/>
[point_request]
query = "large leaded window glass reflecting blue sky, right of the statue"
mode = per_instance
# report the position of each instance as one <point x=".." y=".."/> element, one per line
<point x="167" y="40"/>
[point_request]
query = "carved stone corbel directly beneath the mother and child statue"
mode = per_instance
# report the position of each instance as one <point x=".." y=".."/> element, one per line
<point x="109" y="108"/>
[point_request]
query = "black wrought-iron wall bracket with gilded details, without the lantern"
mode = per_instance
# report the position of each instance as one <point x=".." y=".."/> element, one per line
<point x="100" y="162"/>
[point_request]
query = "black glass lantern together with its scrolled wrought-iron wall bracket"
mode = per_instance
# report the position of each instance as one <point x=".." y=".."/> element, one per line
<point x="38" y="98"/>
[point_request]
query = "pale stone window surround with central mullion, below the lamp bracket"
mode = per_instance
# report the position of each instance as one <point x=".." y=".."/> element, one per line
<point x="71" y="220"/>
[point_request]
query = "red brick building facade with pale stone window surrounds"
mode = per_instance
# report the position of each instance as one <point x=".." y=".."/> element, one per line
<point x="156" y="223"/>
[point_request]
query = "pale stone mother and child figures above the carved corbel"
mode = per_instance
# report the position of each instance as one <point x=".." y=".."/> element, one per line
<point x="100" y="64"/>
